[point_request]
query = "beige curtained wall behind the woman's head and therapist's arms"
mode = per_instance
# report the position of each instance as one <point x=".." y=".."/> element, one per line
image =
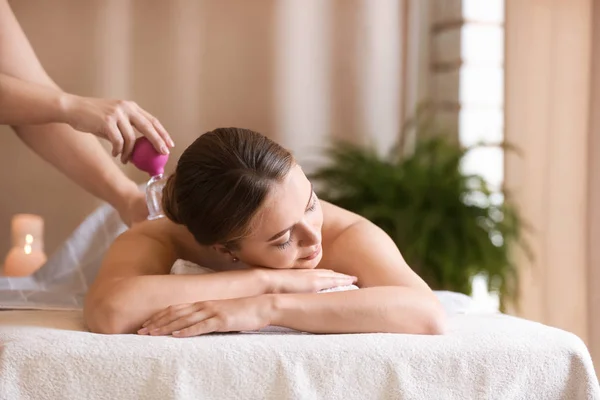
<point x="297" y="71"/>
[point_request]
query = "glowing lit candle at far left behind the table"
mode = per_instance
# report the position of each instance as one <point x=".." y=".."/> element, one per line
<point x="27" y="253"/>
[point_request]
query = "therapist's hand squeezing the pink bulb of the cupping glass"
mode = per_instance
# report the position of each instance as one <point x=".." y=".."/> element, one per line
<point x="115" y="121"/>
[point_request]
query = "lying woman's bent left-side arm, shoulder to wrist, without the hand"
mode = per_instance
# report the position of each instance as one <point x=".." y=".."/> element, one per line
<point x="133" y="282"/>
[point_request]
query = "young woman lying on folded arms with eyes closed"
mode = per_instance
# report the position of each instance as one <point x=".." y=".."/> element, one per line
<point x="239" y="204"/>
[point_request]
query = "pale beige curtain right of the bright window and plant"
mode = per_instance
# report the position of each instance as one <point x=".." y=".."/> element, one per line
<point x="555" y="182"/>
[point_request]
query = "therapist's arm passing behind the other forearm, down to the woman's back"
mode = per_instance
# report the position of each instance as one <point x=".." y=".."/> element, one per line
<point x="77" y="155"/>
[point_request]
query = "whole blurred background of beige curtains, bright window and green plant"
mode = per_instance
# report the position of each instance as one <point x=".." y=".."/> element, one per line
<point x="307" y="73"/>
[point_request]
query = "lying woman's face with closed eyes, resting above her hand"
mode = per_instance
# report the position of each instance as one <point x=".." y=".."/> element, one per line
<point x="286" y="231"/>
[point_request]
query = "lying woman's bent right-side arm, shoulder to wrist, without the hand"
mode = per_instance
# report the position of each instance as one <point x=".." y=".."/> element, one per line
<point x="392" y="297"/>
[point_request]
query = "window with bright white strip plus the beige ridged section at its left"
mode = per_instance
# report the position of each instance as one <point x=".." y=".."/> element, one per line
<point x="467" y="84"/>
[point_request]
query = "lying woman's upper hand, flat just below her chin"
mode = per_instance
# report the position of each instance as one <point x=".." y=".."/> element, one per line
<point x="305" y="280"/>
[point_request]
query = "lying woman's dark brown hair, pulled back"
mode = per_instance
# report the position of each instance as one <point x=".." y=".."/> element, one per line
<point x="220" y="182"/>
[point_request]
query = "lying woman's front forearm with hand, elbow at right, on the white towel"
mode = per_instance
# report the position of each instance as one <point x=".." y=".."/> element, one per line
<point x="377" y="309"/>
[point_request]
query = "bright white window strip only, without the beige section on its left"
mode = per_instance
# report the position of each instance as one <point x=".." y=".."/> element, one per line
<point x="481" y="97"/>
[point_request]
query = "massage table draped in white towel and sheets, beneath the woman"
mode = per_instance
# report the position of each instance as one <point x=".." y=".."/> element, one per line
<point x="46" y="352"/>
